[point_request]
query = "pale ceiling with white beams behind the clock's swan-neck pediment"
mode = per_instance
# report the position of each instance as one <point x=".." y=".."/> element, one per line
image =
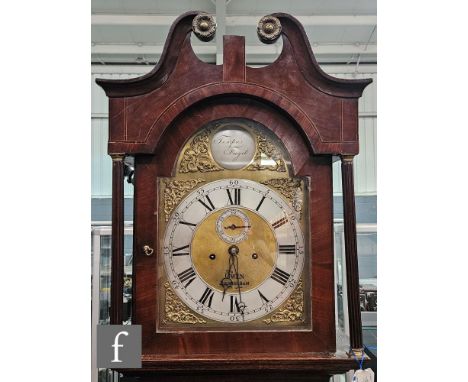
<point x="134" y="31"/>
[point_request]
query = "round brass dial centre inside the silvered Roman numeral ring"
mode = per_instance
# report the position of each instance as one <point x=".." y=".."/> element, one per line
<point x="234" y="267"/>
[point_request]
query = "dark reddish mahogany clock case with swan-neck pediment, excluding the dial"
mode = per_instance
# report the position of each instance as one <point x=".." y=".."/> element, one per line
<point x="152" y="116"/>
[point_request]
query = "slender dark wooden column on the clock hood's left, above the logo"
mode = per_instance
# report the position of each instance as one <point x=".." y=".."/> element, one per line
<point x="117" y="240"/>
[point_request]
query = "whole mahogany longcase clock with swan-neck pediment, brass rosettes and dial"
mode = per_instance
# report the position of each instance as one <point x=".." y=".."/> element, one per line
<point x="233" y="225"/>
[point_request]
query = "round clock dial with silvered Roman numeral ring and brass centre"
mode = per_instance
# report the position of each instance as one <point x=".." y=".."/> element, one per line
<point x="233" y="250"/>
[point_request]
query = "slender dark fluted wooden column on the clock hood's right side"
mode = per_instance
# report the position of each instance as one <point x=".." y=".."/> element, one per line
<point x="352" y="270"/>
